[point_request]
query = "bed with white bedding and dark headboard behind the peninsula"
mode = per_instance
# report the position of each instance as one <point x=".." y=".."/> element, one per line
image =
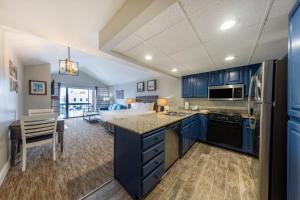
<point x="137" y="109"/>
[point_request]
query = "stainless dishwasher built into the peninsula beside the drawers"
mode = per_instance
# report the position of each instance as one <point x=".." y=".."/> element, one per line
<point x="172" y="144"/>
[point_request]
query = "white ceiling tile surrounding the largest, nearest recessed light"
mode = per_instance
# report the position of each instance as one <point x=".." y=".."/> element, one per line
<point x="208" y="22"/>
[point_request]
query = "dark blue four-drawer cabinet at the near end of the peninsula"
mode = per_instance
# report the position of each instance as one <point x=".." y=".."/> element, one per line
<point x="138" y="160"/>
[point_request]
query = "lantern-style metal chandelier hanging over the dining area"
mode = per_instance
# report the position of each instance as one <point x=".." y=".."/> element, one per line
<point x="68" y="67"/>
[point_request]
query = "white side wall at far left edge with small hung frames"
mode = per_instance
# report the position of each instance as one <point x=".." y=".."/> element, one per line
<point x="10" y="102"/>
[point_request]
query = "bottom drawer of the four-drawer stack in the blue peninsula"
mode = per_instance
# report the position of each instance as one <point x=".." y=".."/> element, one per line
<point x="150" y="181"/>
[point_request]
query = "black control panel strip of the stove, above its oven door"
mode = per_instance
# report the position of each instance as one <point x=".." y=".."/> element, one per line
<point x="225" y="117"/>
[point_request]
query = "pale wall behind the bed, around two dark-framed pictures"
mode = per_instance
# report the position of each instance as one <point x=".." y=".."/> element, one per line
<point x="167" y="87"/>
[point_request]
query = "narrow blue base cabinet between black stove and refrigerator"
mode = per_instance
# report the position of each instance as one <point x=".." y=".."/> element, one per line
<point x="248" y="137"/>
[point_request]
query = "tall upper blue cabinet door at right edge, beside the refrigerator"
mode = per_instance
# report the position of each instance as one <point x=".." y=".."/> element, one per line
<point x="294" y="64"/>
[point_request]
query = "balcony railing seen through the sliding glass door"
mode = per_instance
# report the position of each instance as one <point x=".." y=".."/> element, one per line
<point x="75" y="109"/>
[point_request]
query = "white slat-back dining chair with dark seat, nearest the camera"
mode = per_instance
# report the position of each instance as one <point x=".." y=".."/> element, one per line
<point x="36" y="131"/>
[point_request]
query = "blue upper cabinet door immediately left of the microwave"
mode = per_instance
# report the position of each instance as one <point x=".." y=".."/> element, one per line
<point x="200" y="86"/>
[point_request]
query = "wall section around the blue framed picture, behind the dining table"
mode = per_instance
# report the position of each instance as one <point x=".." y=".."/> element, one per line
<point x="37" y="73"/>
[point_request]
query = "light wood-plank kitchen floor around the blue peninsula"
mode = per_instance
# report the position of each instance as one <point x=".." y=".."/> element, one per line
<point x="205" y="172"/>
